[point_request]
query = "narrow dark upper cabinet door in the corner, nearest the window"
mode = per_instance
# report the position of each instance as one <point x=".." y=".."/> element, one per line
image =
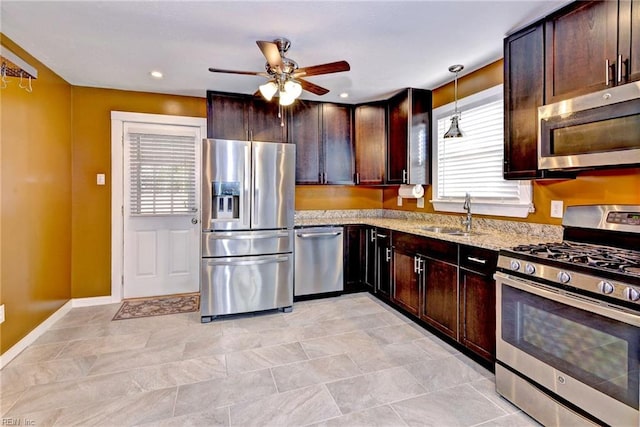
<point x="398" y="134"/>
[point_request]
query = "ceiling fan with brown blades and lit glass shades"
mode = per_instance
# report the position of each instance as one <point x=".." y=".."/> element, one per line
<point x="285" y="77"/>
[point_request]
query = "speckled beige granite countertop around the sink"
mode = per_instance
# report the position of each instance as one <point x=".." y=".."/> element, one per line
<point x="489" y="234"/>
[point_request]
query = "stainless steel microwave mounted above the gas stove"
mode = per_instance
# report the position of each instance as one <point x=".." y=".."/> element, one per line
<point x="601" y="129"/>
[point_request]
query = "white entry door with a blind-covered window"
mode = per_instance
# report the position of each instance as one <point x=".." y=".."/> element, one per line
<point x="161" y="200"/>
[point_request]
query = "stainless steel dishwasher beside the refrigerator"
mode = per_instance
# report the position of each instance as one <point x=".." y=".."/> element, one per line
<point x="318" y="260"/>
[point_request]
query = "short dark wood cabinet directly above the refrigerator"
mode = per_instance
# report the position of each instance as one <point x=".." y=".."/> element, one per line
<point x="243" y="117"/>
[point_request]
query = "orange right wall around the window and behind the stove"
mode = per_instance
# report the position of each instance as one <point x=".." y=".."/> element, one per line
<point x="616" y="186"/>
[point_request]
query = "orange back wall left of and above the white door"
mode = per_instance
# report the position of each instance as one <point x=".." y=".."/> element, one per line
<point x="91" y="216"/>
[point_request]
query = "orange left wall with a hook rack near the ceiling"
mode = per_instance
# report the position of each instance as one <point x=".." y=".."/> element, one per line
<point x="35" y="225"/>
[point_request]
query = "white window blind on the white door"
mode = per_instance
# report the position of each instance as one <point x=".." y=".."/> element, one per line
<point x="162" y="174"/>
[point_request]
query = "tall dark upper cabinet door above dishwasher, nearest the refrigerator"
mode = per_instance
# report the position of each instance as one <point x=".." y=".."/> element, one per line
<point x="304" y="131"/>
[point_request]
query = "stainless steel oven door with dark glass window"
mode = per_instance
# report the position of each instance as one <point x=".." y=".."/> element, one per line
<point x="579" y="349"/>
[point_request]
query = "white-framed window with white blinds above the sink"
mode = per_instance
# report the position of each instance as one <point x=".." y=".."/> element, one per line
<point x="473" y="164"/>
